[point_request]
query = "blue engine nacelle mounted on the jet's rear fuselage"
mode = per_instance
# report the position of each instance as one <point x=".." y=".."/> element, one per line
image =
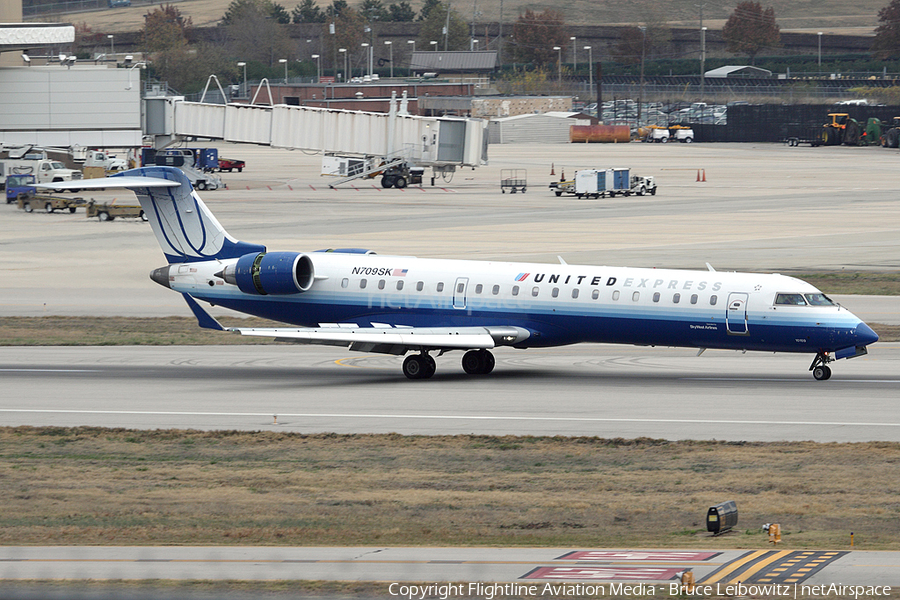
<point x="271" y="273"/>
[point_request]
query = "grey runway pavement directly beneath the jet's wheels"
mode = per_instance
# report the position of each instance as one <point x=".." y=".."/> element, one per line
<point x="590" y="390"/>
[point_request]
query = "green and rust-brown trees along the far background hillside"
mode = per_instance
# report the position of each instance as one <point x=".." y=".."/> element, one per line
<point x="256" y="33"/>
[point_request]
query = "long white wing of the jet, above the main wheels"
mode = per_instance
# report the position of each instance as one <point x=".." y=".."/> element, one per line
<point x="396" y="340"/>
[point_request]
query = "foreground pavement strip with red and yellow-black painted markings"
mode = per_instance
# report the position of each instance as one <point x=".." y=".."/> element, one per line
<point x="714" y="570"/>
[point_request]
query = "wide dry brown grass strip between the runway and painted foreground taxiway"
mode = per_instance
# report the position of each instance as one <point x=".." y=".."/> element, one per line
<point x="96" y="486"/>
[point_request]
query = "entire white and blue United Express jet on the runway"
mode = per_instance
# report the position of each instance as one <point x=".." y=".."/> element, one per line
<point x="401" y="304"/>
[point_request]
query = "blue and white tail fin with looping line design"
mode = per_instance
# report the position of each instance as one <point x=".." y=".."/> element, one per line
<point x="185" y="228"/>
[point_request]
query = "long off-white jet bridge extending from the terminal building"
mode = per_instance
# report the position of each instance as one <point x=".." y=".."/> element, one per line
<point x="441" y="143"/>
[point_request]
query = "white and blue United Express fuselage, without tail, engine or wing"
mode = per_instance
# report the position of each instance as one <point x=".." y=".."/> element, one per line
<point x="558" y="304"/>
